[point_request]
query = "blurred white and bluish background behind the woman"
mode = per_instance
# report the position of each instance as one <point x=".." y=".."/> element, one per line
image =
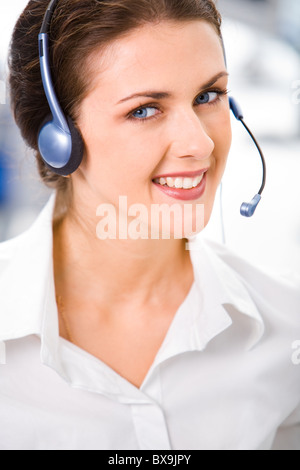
<point x="262" y="40"/>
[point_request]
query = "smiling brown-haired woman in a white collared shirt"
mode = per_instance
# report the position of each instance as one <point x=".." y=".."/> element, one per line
<point x="148" y="345"/>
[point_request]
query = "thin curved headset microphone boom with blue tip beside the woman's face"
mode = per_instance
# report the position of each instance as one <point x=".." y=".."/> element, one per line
<point x="248" y="208"/>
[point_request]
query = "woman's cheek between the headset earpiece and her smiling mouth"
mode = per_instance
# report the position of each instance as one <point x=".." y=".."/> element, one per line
<point x="118" y="160"/>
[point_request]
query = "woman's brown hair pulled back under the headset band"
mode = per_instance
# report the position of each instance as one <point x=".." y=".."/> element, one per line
<point x="78" y="28"/>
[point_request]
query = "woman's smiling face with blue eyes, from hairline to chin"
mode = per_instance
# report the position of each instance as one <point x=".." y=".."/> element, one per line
<point x="156" y="123"/>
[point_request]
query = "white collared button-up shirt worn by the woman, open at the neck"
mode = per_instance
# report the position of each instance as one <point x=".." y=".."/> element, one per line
<point x="224" y="377"/>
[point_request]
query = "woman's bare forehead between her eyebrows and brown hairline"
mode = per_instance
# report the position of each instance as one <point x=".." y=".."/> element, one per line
<point x="165" y="55"/>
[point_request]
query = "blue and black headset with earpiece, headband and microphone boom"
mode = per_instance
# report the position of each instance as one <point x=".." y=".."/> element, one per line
<point x="60" y="143"/>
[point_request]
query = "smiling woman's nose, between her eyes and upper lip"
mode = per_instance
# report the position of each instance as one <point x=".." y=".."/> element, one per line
<point x="188" y="137"/>
